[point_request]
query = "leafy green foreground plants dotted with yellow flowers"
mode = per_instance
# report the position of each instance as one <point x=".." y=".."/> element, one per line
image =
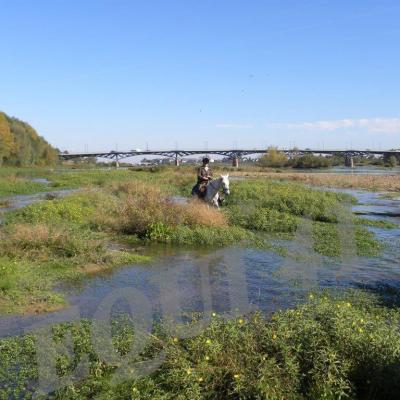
<point x="331" y="347"/>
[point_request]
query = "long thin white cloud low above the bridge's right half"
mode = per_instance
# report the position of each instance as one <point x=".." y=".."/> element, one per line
<point x="376" y="125"/>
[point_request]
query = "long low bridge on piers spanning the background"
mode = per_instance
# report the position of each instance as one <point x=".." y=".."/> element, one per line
<point x="234" y="154"/>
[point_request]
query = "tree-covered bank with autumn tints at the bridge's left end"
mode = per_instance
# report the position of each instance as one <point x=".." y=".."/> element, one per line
<point x="21" y="145"/>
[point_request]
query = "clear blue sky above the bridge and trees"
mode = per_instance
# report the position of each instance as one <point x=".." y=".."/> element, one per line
<point x="193" y="73"/>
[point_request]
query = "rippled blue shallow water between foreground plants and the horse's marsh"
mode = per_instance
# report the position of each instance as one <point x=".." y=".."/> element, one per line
<point x="230" y="279"/>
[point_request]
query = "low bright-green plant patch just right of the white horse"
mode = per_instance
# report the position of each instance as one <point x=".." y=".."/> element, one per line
<point x="279" y="208"/>
